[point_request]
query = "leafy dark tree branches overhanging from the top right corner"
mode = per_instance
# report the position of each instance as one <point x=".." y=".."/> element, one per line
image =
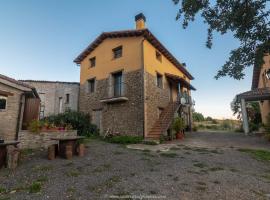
<point x="248" y="20"/>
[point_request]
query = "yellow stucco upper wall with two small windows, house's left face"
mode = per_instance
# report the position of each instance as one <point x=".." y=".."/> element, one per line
<point x="131" y="59"/>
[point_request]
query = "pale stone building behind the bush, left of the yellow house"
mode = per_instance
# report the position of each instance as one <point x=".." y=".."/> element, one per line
<point x="56" y="96"/>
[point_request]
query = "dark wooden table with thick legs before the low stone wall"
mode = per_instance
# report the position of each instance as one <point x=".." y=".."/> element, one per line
<point x="64" y="142"/>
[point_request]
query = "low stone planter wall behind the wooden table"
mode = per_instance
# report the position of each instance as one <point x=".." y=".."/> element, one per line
<point x="29" y="140"/>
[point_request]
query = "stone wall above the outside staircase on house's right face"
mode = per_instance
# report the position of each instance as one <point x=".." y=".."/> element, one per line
<point x="155" y="98"/>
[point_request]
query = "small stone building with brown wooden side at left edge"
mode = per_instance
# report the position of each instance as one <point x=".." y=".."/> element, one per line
<point x="19" y="104"/>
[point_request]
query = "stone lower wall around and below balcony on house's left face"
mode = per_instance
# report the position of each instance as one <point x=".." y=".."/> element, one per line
<point x="123" y="117"/>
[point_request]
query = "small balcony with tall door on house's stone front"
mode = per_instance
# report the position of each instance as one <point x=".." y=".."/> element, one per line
<point x="116" y="93"/>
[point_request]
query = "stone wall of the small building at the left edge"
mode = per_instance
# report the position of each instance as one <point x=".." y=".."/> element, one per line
<point x="9" y="117"/>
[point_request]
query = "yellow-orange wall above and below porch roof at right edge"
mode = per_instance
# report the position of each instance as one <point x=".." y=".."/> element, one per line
<point x="263" y="82"/>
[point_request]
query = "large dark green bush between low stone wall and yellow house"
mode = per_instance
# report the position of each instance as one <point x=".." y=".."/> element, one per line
<point x="77" y="120"/>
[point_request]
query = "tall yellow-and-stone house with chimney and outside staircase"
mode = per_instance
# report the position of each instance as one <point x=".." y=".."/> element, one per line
<point x="131" y="84"/>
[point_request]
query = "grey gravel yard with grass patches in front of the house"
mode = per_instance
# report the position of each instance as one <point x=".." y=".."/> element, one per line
<point x="113" y="171"/>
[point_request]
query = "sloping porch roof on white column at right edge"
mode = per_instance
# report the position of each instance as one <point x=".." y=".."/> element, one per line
<point x="257" y="94"/>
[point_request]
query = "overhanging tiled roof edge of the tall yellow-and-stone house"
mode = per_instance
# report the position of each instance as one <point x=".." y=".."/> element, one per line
<point x="134" y="33"/>
